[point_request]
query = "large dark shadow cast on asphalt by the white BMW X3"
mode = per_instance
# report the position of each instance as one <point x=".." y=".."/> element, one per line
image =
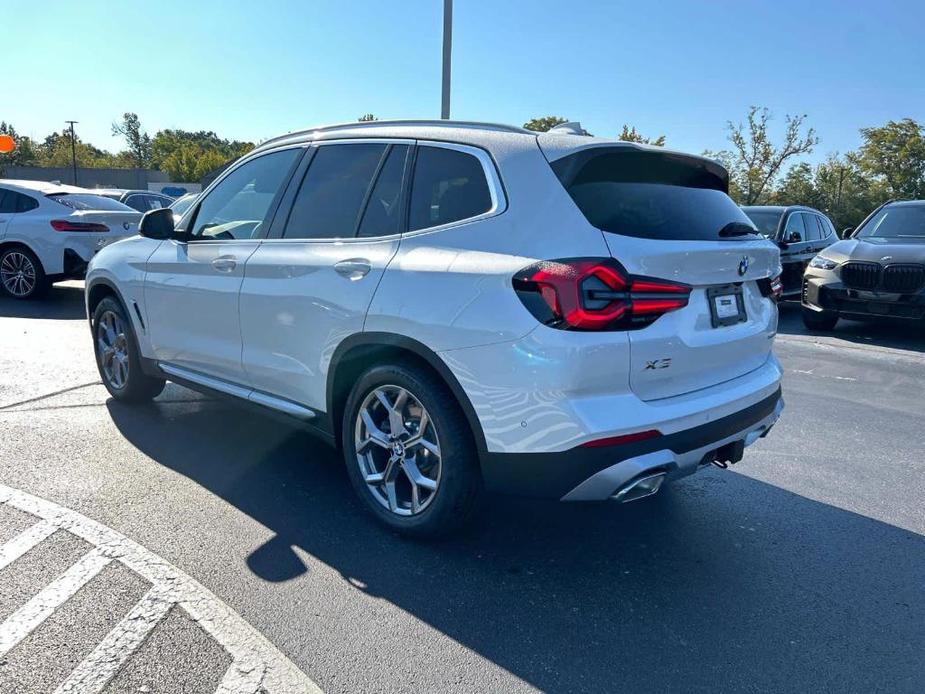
<point x="721" y="583"/>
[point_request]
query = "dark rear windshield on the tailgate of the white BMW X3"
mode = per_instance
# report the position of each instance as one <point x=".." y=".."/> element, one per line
<point x="653" y="195"/>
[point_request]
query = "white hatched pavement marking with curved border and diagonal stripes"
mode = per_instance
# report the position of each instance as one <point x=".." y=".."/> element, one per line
<point x="256" y="664"/>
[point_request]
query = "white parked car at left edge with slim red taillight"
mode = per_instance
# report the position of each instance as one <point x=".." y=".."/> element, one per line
<point x="48" y="232"/>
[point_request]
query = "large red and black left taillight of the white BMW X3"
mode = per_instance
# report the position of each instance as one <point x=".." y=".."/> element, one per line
<point x="595" y="294"/>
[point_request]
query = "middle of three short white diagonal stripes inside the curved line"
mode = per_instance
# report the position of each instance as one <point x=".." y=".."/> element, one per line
<point x="24" y="620"/>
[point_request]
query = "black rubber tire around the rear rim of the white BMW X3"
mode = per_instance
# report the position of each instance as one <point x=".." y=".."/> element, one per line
<point x="459" y="489"/>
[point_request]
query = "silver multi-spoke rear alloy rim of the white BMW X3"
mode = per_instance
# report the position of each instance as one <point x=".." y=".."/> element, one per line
<point x="397" y="450"/>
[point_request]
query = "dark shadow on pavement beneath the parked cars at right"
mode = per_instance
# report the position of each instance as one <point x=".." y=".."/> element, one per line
<point x="890" y="333"/>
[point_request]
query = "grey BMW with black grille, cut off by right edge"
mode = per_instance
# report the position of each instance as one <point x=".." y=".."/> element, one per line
<point x="878" y="271"/>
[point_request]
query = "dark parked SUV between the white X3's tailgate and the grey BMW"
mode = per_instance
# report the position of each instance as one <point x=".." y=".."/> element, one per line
<point x="801" y="232"/>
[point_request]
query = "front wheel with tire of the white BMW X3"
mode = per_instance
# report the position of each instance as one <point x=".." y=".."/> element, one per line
<point x="117" y="355"/>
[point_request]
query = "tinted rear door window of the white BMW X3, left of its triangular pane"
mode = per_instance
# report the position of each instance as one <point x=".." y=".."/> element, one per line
<point x="331" y="196"/>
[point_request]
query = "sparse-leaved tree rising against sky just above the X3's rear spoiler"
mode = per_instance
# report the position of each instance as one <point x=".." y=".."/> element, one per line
<point x="754" y="163"/>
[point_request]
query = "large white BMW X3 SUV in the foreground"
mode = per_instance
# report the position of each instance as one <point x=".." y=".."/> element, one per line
<point x="461" y="307"/>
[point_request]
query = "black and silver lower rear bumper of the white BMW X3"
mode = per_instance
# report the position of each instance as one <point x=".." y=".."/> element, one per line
<point x="584" y="474"/>
